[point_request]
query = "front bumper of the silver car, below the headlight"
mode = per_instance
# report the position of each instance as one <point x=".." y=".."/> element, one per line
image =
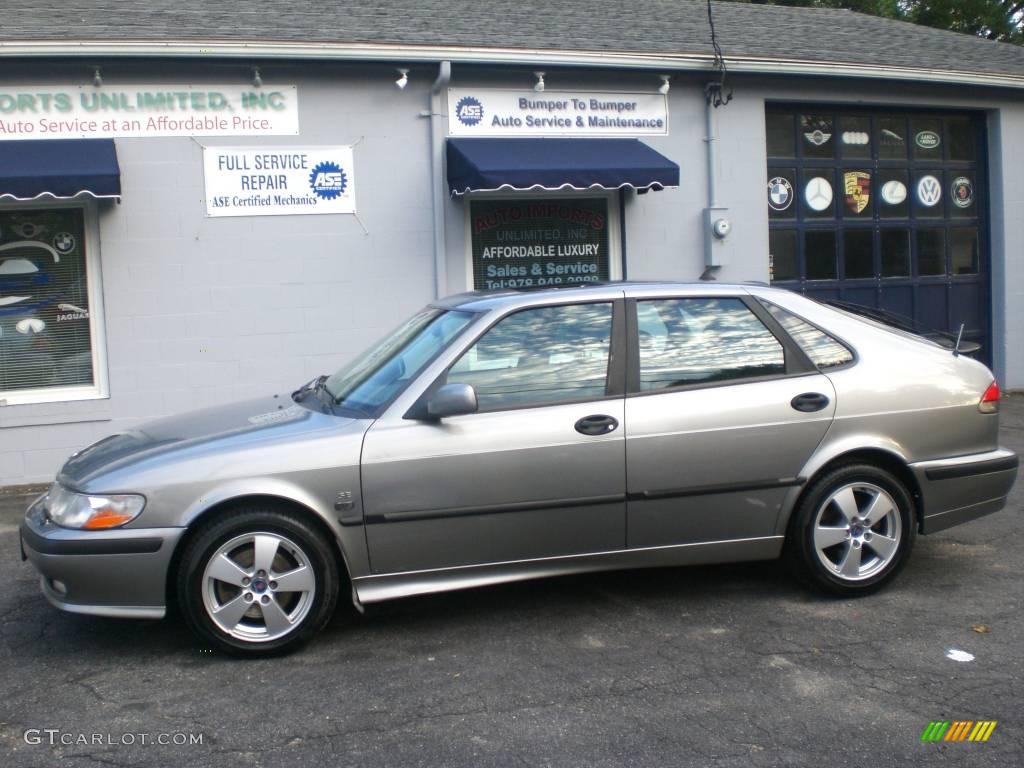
<point x="119" y="573"/>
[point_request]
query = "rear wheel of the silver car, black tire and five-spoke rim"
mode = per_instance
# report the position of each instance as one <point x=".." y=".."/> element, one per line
<point x="812" y="565"/>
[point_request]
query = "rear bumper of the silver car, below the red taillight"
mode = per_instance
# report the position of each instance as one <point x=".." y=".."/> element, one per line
<point x="962" y="489"/>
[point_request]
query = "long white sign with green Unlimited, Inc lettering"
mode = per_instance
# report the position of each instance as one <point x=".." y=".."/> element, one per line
<point x="144" y="111"/>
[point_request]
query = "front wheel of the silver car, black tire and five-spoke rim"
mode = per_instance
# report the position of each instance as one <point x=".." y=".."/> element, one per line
<point x="300" y="548"/>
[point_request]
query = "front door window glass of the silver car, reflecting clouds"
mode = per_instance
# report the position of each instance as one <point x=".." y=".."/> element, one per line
<point x="540" y="357"/>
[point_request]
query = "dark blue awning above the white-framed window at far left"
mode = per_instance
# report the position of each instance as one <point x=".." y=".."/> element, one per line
<point x="60" y="169"/>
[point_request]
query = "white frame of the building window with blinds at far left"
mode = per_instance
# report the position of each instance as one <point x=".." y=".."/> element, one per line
<point x="100" y="390"/>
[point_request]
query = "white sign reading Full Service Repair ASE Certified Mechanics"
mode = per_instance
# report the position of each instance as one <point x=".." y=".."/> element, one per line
<point x="279" y="181"/>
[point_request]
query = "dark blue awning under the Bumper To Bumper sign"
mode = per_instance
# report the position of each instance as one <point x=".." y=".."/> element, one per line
<point x="490" y="164"/>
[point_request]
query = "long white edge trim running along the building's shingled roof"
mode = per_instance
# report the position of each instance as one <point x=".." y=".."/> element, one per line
<point x="411" y="54"/>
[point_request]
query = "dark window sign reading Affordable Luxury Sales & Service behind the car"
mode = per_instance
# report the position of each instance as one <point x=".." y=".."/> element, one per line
<point x="530" y="243"/>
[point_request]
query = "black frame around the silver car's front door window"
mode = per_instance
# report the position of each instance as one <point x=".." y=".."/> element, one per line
<point x="615" y="385"/>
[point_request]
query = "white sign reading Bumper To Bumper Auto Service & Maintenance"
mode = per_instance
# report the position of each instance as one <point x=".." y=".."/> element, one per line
<point x="504" y="113"/>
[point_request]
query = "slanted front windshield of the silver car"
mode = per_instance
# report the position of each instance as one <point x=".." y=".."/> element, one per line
<point x="373" y="379"/>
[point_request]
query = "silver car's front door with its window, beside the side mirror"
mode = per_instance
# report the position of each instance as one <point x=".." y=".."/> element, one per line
<point x="539" y="472"/>
